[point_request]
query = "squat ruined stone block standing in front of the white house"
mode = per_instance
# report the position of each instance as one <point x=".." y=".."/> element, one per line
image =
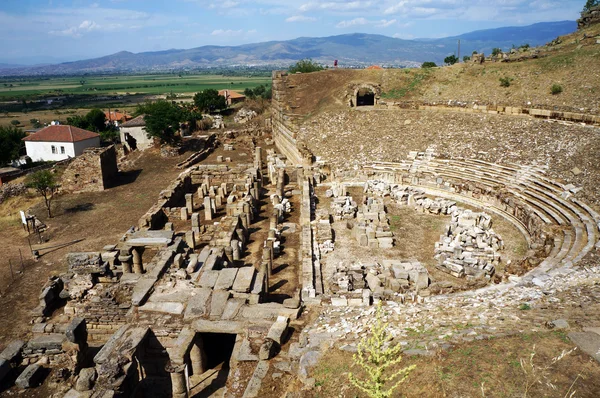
<point x="95" y="170"/>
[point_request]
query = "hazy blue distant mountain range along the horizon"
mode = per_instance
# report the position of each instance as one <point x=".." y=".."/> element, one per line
<point x="350" y="49"/>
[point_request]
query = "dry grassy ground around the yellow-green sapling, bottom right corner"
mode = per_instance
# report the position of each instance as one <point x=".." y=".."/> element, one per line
<point x="488" y="368"/>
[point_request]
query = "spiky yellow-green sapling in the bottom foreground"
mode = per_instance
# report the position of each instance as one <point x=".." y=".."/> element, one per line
<point x="375" y="356"/>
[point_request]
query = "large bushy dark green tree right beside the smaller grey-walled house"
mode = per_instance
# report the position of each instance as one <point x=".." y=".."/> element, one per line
<point x="162" y="119"/>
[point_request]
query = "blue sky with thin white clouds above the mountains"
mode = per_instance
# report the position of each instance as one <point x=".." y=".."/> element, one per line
<point x="63" y="30"/>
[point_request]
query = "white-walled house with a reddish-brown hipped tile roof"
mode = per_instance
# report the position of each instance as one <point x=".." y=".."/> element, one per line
<point x="59" y="142"/>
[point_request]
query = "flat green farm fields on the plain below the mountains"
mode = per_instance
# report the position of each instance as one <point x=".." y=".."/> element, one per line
<point x="26" y="88"/>
